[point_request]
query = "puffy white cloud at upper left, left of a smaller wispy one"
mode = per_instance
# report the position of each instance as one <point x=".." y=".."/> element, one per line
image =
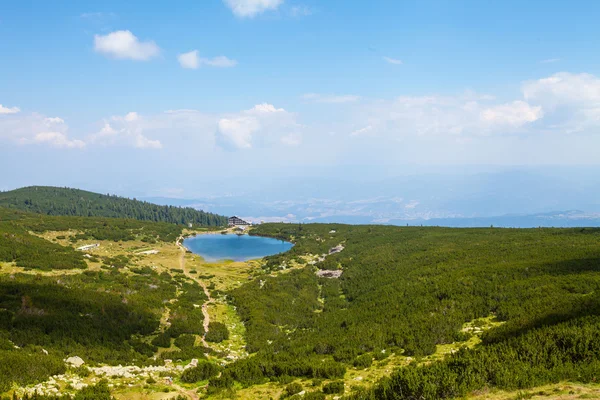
<point x="125" y="45"/>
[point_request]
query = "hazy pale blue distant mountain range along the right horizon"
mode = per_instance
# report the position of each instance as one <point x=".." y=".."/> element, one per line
<point x="520" y="198"/>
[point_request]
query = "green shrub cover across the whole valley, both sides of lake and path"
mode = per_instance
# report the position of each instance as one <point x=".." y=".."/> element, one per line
<point x="405" y="292"/>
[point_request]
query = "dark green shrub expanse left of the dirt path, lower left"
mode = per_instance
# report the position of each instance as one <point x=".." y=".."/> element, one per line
<point x="99" y="316"/>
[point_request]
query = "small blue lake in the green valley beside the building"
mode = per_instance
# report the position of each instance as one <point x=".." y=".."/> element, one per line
<point x="215" y="247"/>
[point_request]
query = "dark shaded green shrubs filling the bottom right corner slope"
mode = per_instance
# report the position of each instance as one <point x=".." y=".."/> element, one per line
<point x="511" y="360"/>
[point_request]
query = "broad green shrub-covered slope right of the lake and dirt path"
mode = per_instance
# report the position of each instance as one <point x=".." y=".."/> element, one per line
<point x="406" y="290"/>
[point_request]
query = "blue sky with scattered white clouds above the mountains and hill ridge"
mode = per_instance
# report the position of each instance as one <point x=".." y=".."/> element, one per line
<point x="181" y="98"/>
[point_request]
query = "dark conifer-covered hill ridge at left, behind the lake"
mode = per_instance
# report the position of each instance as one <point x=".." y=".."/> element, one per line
<point x="74" y="202"/>
